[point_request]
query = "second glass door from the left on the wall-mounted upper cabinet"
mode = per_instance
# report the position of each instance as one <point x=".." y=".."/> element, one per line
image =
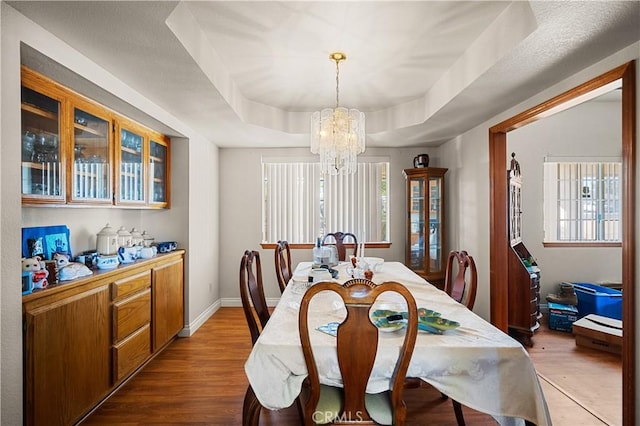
<point x="90" y="177"/>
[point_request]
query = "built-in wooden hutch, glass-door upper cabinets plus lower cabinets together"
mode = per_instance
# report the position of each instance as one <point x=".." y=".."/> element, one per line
<point x="84" y="338"/>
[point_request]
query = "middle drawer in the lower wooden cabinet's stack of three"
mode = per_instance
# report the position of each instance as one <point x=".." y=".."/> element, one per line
<point x="130" y="314"/>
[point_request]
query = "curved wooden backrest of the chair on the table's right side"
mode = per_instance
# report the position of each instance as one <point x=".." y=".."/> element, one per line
<point x="457" y="286"/>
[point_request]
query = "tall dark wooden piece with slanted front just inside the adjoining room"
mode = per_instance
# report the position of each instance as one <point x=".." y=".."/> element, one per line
<point x="524" y="273"/>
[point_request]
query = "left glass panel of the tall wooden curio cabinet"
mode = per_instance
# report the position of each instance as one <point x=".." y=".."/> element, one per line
<point x="417" y="222"/>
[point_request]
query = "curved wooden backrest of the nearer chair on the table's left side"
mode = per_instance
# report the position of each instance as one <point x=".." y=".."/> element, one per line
<point x="254" y="303"/>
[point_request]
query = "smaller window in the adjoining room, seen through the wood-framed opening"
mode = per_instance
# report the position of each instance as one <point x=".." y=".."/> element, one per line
<point x="582" y="201"/>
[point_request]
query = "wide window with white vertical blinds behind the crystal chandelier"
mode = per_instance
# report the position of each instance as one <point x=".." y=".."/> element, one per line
<point x="300" y="204"/>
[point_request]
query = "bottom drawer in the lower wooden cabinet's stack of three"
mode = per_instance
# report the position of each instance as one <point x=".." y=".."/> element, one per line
<point x="131" y="353"/>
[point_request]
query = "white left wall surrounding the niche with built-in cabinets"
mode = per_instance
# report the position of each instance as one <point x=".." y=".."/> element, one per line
<point x="193" y="219"/>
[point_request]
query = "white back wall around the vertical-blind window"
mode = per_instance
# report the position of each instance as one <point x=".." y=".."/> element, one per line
<point x="240" y="196"/>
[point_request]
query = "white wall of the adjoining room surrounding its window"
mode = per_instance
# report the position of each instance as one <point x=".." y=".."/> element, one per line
<point x="588" y="130"/>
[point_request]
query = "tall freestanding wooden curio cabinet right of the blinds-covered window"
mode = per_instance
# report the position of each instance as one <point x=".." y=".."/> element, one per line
<point x="425" y="238"/>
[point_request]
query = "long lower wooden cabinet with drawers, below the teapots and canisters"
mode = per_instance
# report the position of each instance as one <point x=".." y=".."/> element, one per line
<point x="83" y="338"/>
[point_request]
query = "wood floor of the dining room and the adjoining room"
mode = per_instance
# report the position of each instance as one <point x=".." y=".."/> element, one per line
<point x="201" y="381"/>
